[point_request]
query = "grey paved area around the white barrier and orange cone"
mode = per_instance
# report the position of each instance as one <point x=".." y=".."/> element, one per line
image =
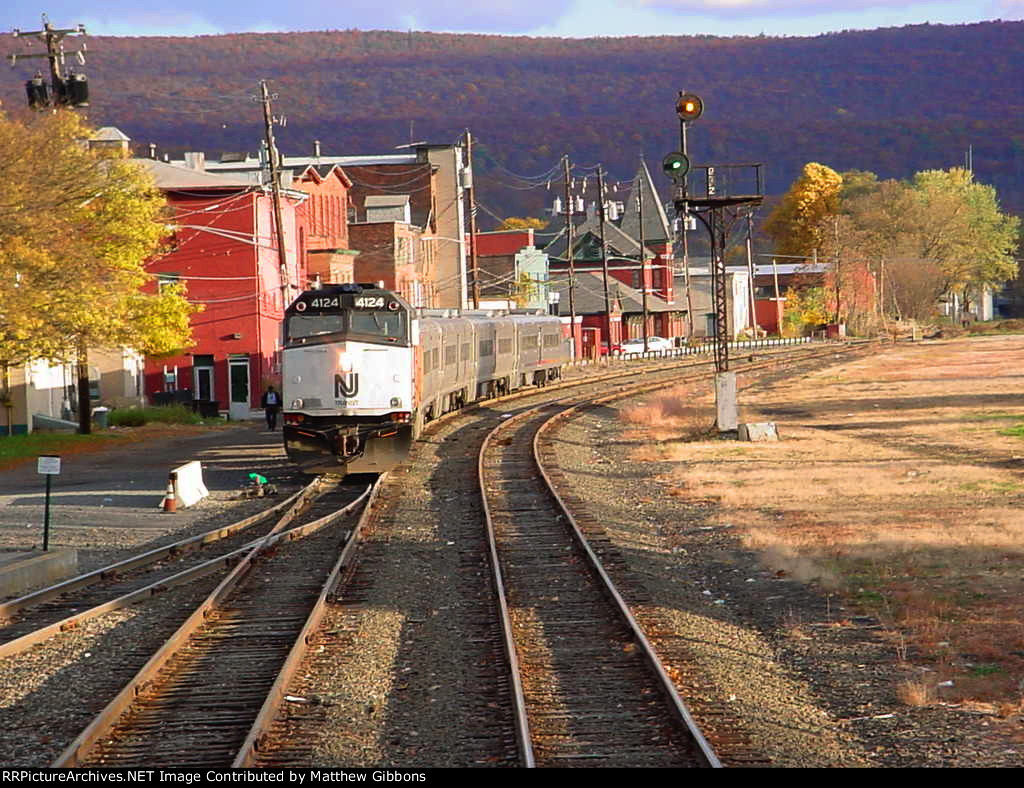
<point x="122" y="488"/>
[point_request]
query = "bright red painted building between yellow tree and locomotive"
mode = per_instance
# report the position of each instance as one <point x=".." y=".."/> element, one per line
<point x="225" y="249"/>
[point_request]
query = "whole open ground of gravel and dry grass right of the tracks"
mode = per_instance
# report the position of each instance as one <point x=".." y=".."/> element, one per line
<point x="871" y="564"/>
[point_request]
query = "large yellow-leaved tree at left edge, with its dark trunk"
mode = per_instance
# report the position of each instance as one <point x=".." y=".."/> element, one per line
<point x="76" y="229"/>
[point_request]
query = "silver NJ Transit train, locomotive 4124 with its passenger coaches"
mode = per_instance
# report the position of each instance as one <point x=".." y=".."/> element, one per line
<point x="364" y="372"/>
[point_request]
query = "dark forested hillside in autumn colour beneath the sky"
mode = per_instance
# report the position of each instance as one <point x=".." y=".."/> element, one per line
<point x="893" y="102"/>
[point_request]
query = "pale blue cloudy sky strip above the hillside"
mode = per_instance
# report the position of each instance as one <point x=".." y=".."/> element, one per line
<point x="572" y="19"/>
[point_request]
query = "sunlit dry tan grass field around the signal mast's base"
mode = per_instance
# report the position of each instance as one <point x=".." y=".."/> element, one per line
<point x="897" y="484"/>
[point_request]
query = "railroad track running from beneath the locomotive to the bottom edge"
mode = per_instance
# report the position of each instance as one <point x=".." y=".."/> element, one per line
<point x="205" y="697"/>
